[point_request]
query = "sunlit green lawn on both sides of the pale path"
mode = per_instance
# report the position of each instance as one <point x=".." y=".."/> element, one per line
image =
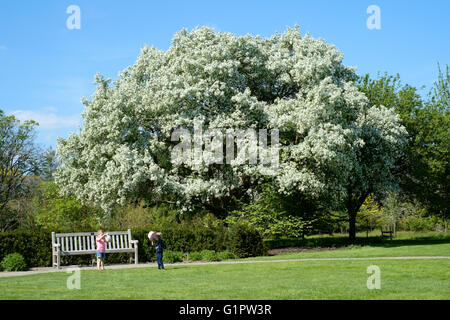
<point x="400" y="279"/>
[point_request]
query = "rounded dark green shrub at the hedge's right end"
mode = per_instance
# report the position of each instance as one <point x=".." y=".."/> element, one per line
<point x="244" y="241"/>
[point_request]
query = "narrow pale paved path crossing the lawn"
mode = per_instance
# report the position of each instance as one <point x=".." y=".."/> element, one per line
<point x="148" y="265"/>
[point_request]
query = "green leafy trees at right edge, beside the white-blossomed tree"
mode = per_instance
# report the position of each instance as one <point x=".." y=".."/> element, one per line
<point x="423" y="170"/>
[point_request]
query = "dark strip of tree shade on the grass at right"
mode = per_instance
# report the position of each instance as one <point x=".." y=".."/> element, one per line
<point x="363" y="241"/>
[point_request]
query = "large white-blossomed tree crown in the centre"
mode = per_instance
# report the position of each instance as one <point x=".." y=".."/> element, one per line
<point x="331" y="142"/>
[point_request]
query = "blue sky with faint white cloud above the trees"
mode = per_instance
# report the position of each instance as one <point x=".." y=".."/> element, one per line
<point x="45" y="68"/>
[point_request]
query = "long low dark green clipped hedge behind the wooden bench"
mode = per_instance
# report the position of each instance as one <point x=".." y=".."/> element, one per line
<point x="35" y="246"/>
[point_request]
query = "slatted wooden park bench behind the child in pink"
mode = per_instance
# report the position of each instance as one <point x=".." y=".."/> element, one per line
<point x="67" y="244"/>
